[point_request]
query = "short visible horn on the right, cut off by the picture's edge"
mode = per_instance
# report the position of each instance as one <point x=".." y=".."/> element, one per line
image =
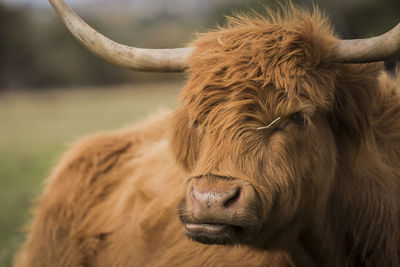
<point x="370" y="49"/>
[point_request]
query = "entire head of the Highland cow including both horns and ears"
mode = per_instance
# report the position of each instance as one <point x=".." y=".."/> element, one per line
<point x="257" y="128"/>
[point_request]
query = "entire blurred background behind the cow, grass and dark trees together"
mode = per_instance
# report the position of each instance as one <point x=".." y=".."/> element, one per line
<point x="52" y="91"/>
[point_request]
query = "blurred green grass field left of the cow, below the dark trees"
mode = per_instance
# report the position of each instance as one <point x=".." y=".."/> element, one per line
<point x="36" y="127"/>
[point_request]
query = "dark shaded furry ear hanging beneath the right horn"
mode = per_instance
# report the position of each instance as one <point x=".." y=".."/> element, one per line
<point x="355" y="98"/>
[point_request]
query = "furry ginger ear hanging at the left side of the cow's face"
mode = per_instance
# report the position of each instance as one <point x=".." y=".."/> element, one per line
<point x="184" y="139"/>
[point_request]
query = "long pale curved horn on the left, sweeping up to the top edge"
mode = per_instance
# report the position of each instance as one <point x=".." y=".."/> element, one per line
<point x="139" y="59"/>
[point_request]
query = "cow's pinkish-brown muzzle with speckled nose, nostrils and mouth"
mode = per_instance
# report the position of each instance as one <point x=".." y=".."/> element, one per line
<point x="218" y="209"/>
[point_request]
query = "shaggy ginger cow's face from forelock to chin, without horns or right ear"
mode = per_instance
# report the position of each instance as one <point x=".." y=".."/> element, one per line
<point x="247" y="183"/>
